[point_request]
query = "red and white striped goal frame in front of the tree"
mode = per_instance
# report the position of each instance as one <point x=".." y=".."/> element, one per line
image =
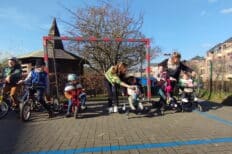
<point x="146" y="42"/>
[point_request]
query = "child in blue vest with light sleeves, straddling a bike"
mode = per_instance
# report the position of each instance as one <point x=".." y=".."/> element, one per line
<point x="39" y="78"/>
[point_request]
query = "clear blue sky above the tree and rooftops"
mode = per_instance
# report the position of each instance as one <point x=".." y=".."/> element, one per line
<point x="190" y="26"/>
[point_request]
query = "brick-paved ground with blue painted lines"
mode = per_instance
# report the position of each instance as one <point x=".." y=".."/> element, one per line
<point x="96" y="131"/>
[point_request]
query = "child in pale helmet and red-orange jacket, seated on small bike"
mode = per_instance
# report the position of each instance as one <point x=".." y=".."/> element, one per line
<point x="72" y="92"/>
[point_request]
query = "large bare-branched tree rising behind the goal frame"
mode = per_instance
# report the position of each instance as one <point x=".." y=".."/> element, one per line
<point x="107" y="21"/>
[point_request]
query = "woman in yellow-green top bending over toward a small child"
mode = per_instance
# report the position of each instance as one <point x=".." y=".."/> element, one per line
<point x="113" y="78"/>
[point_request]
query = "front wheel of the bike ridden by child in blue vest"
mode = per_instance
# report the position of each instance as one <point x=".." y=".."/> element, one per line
<point x="25" y="110"/>
